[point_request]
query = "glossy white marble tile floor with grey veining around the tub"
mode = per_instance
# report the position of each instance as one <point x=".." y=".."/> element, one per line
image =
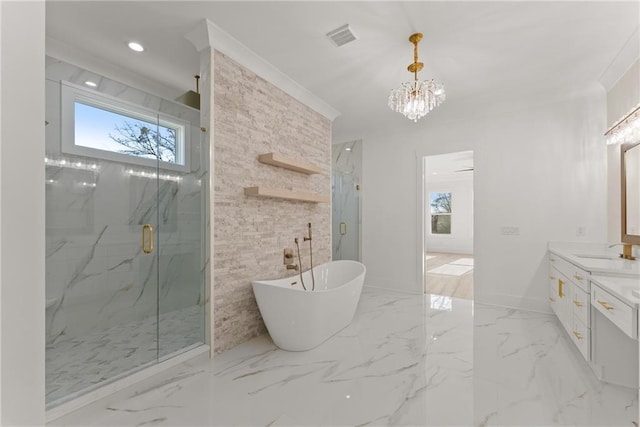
<point x="405" y="360"/>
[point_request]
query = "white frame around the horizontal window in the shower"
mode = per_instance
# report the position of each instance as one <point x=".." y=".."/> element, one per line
<point x="71" y="93"/>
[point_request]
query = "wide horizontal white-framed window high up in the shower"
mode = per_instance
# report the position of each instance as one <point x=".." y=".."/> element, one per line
<point x="97" y="125"/>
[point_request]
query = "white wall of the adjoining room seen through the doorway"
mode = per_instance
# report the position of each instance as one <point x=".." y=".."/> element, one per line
<point x="461" y="238"/>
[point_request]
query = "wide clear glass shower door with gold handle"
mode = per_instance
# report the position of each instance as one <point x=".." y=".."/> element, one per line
<point x="101" y="273"/>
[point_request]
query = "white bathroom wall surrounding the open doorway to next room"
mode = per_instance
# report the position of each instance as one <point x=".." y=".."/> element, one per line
<point x="542" y="169"/>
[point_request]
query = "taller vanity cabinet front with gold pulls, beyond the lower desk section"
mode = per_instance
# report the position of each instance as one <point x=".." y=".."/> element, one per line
<point x="569" y="298"/>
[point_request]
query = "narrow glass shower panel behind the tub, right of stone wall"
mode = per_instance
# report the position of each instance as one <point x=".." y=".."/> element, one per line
<point x="347" y="172"/>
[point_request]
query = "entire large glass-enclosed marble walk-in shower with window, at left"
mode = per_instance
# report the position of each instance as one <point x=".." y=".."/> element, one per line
<point x="126" y="218"/>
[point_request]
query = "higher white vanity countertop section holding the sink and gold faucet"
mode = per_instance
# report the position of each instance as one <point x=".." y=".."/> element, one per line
<point x="597" y="259"/>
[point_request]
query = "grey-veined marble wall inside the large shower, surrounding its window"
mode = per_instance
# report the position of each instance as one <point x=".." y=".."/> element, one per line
<point x="97" y="276"/>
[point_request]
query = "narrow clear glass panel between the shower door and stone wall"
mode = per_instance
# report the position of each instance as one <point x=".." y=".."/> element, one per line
<point x="181" y="299"/>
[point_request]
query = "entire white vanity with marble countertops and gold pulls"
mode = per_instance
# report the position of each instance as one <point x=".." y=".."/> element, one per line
<point x="594" y="297"/>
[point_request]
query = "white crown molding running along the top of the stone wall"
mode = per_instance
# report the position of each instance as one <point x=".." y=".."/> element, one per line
<point x="208" y="35"/>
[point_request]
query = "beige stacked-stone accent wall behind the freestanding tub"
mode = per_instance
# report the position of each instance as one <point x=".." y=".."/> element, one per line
<point x="252" y="117"/>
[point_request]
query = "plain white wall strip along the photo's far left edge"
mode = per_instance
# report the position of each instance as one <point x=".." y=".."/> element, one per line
<point x="22" y="221"/>
